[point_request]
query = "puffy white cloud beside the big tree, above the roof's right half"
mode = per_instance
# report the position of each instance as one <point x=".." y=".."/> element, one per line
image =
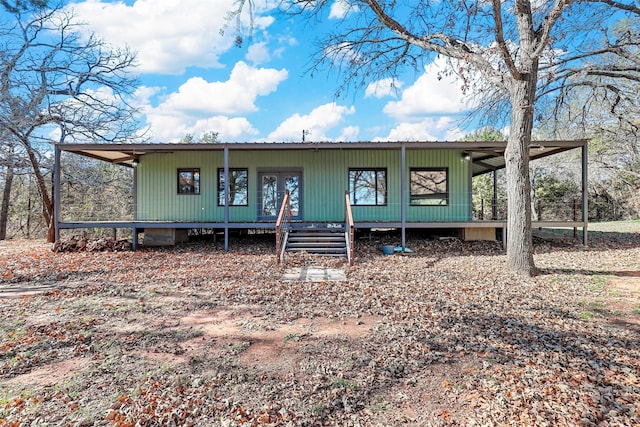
<point x="431" y="94"/>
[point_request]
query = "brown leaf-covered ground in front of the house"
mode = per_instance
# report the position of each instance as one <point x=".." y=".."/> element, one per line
<point x="444" y="336"/>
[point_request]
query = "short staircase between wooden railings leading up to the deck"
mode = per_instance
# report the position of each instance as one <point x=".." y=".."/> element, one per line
<point x="328" y="239"/>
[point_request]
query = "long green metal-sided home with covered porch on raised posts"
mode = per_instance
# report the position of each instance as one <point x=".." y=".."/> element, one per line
<point x="333" y="187"/>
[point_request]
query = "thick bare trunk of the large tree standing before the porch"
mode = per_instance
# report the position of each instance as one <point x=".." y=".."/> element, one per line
<point x="519" y="240"/>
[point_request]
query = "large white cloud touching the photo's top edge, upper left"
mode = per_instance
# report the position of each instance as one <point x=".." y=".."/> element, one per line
<point x="168" y="35"/>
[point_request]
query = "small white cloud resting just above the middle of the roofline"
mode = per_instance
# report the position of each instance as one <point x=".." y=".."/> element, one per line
<point x="318" y="122"/>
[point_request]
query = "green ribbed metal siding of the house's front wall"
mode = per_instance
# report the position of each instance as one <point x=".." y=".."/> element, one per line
<point x="324" y="182"/>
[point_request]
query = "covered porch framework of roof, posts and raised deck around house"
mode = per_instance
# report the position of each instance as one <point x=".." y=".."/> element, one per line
<point x="482" y="158"/>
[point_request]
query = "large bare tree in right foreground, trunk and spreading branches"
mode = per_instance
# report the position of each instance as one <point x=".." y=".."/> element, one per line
<point x="509" y="53"/>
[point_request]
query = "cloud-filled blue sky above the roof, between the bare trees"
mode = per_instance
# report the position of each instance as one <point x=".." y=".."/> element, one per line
<point x="195" y="80"/>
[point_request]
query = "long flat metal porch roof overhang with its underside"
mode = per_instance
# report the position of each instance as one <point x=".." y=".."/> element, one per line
<point x="486" y="156"/>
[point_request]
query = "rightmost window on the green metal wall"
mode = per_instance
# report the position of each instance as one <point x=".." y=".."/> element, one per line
<point x="430" y="187"/>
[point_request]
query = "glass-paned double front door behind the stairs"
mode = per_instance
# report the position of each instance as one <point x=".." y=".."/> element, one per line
<point x="273" y="186"/>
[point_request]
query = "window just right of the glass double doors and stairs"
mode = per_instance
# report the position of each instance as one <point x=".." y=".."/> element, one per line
<point x="368" y="187"/>
